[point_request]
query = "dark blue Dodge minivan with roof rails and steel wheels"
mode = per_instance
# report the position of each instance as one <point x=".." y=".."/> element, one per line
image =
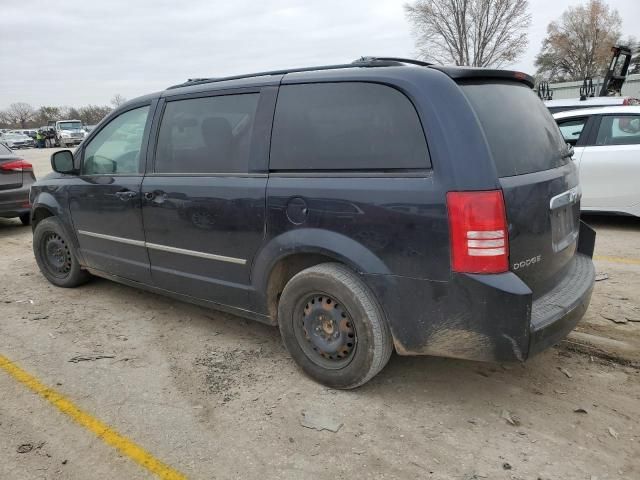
<point x="362" y="207"/>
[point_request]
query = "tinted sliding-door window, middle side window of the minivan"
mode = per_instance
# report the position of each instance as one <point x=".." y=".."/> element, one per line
<point x="206" y="135"/>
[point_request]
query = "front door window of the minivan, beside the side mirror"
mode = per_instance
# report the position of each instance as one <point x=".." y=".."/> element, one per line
<point x="116" y="148"/>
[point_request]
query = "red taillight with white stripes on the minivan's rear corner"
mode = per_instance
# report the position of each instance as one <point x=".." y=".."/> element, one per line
<point x="478" y="229"/>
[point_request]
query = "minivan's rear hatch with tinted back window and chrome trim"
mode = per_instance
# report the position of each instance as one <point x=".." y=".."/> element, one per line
<point x="538" y="179"/>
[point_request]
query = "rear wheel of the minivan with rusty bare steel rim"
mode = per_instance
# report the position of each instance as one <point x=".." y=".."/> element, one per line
<point x="333" y="326"/>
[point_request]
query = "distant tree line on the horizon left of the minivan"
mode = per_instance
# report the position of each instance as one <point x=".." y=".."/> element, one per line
<point x="22" y="115"/>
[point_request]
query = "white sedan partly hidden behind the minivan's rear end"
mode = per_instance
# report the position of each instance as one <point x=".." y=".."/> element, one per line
<point x="607" y="151"/>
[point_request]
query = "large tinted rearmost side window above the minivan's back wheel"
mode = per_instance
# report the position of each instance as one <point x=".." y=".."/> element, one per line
<point x="338" y="126"/>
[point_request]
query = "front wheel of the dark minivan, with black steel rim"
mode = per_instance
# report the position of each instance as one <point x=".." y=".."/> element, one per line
<point x="56" y="255"/>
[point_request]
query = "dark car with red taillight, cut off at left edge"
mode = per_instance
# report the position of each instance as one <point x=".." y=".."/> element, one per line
<point x="16" y="177"/>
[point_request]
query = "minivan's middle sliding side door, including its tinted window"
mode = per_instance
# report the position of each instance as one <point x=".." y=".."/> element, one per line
<point x="204" y="202"/>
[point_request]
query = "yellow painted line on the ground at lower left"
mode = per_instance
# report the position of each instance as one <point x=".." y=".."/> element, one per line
<point x="101" y="430"/>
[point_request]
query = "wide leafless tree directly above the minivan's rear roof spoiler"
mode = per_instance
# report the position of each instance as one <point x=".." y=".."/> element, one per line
<point x="479" y="33"/>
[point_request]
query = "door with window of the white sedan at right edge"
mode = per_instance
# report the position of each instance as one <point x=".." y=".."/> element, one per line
<point x="610" y="167"/>
